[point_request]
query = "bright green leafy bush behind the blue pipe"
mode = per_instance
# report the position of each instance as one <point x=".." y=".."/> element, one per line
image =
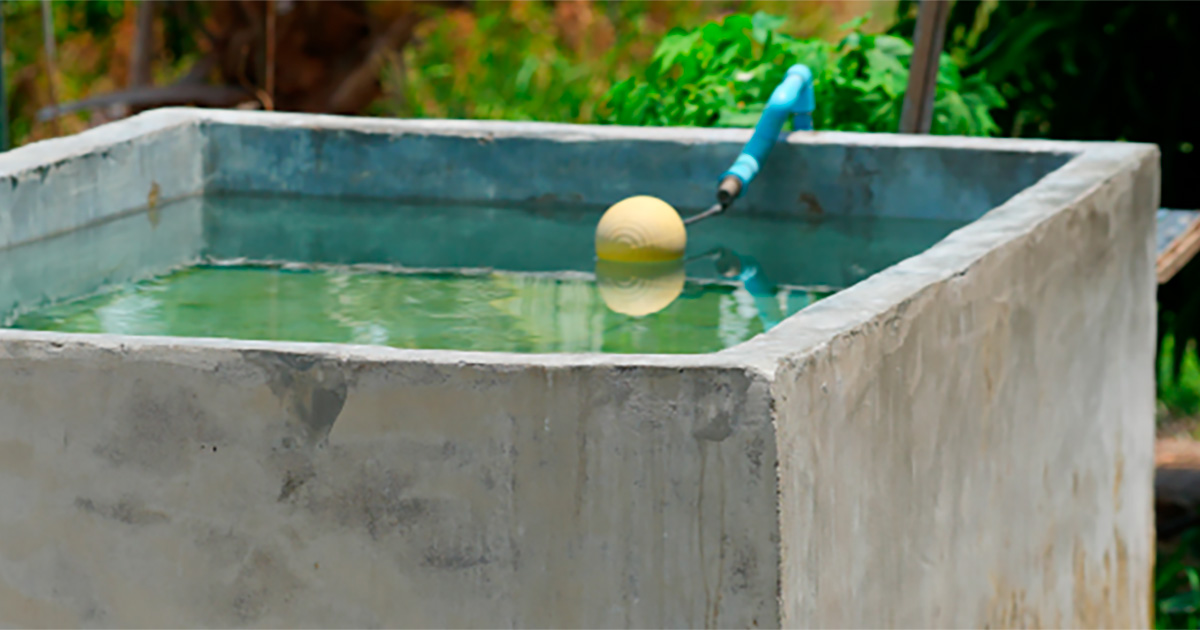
<point x="723" y="74"/>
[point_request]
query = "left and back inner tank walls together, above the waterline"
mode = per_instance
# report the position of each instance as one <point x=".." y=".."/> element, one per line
<point x="147" y="160"/>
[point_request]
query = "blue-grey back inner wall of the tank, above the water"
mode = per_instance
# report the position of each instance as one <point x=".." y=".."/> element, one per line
<point x="464" y="161"/>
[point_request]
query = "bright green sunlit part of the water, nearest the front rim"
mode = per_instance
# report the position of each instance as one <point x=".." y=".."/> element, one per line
<point x="488" y="311"/>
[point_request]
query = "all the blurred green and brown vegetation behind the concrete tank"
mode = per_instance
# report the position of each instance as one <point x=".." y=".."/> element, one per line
<point x="1070" y="70"/>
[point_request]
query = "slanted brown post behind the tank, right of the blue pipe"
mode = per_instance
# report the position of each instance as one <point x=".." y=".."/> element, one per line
<point x="917" y="116"/>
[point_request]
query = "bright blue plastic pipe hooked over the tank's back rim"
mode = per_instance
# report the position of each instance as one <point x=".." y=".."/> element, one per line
<point x="794" y="97"/>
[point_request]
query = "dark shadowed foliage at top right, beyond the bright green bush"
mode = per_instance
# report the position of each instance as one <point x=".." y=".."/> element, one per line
<point x="1089" y="71"/>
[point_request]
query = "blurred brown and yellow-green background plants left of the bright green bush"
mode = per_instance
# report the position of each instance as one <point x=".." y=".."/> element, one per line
<point x="520" y="61"/>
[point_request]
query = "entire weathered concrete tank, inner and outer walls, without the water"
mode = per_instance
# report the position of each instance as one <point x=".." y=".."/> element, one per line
<point x="963" y="440"/>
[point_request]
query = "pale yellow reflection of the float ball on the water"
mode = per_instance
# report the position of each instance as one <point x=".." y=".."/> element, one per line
<point x="640" y="289"/>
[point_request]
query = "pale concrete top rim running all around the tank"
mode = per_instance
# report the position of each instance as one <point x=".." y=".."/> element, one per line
<point x="1090" y="165"/>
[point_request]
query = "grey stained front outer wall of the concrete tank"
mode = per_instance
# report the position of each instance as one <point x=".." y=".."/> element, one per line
<point x="163" y="485"/>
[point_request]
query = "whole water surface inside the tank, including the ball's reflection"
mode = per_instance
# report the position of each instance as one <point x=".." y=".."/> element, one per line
<point x="507" y="279"/>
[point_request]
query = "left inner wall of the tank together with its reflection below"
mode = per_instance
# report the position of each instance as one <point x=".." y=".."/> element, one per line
<point x="71" y="190"/>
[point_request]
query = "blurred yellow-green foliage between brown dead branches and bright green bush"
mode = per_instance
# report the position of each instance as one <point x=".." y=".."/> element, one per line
<point x="523" y="62"/>
